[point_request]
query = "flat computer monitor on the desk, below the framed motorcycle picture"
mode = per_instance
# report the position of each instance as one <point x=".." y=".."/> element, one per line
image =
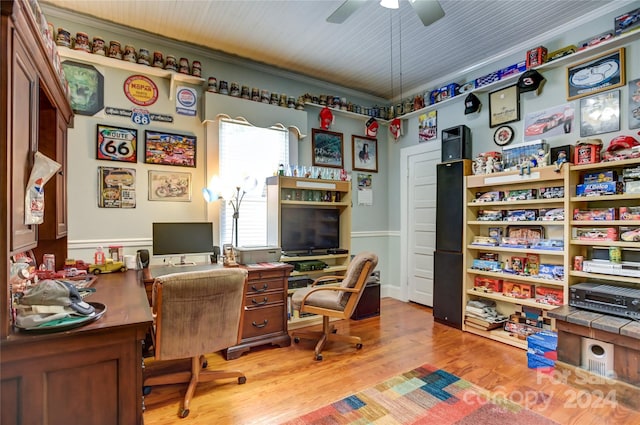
<point x="182" y="239"/>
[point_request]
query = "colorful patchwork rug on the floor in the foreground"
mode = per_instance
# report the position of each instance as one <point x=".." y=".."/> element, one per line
<point x="426" y="395"/>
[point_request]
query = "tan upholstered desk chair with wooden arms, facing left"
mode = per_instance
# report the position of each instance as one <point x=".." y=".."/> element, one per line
<point x="332" y="301"/>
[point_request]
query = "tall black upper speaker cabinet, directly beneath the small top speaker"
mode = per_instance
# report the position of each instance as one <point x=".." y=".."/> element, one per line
<point x="449" y="209"/>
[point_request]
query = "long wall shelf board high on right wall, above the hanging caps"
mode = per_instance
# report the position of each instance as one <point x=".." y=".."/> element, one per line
<point x="614" y="42"/>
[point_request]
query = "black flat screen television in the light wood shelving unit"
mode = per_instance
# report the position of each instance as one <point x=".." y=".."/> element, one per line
<point x="304" y="230"/>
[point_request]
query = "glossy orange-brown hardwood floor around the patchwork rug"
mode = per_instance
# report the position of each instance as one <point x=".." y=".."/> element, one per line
<point x="283" y="383"/>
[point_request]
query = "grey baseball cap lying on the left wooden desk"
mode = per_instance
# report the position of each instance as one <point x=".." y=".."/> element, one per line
<point x="58" y="293"/>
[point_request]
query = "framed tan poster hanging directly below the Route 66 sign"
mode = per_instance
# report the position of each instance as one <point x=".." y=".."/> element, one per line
<point x="116" y="187"/>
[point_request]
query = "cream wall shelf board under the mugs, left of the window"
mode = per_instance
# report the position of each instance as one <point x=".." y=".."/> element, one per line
<point x="90" y="58"/>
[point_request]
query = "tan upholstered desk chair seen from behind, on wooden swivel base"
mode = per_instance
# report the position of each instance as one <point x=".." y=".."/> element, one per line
<point x="195" y="313"/>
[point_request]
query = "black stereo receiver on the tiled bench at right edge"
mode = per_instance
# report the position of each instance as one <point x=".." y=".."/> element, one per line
<point x="607" y="299"/>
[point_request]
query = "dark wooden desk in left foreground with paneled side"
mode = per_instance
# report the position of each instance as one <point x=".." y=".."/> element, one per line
<point x="88" y="375"/>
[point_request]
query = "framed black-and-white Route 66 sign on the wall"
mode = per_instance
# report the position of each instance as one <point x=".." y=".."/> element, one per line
<point x="116" y="143"/>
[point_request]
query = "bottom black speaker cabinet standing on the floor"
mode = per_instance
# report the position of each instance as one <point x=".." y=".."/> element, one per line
<point x="447" y="288"/>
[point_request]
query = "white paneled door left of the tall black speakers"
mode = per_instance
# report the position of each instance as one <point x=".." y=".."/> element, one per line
<point x="420" y="213"/>
